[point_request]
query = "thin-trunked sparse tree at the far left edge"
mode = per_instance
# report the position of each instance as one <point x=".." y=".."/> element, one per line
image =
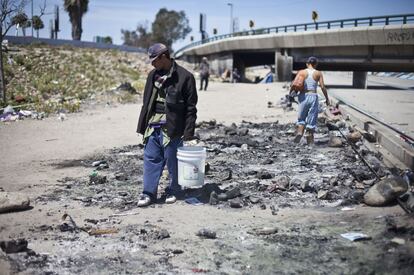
<point x="8" y="10"/>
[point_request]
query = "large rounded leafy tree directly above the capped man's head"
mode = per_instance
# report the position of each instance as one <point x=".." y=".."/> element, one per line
<point x="170" y="26"/>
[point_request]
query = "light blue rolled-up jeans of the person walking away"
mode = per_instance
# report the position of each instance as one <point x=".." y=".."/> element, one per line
<point x="308" y="109"/>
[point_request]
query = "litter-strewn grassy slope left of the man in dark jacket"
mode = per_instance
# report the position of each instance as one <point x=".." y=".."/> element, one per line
<point x="60" y="79"/>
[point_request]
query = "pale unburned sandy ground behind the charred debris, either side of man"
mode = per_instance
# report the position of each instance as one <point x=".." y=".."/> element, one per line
<point x="32" y="147"/>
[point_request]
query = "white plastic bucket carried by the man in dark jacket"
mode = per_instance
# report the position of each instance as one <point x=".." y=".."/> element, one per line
<point x="191" y="165"/>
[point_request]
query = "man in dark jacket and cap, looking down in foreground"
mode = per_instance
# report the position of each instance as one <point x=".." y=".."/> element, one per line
<point x="167" y="117"/>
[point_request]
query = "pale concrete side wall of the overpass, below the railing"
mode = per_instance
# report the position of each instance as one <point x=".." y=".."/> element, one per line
<point x="357" y="36"/>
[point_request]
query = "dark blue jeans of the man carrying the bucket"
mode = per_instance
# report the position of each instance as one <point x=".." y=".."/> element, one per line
<point x="155" y="158"/>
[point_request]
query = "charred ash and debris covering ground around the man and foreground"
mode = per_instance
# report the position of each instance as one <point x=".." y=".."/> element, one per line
<point x="268" y="206"/>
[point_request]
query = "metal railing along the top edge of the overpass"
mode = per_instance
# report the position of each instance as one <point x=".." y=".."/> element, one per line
<point x="333" y="24"/>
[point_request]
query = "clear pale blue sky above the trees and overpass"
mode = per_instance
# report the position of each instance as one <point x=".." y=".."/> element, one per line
<point x="108" y="17"/>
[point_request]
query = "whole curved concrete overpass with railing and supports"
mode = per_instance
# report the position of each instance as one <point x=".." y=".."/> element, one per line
<point x="383" y="43"/>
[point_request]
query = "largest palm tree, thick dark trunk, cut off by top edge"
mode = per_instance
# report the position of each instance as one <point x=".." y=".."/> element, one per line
<point x="76" y="9"/>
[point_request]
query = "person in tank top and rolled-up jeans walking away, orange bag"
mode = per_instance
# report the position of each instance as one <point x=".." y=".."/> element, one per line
<point x="308" y="100"/>
